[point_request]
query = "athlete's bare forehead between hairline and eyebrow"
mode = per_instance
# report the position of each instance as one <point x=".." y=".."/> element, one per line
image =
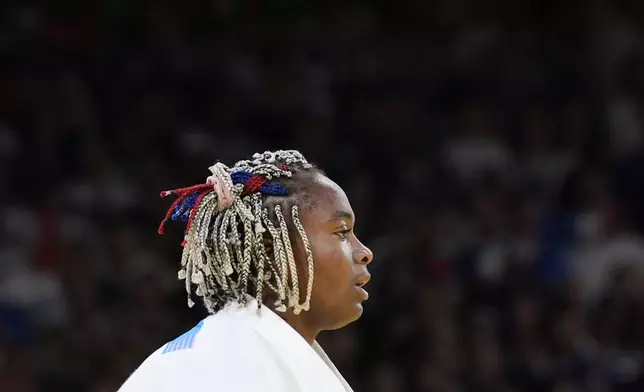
<point x="327" y="199"/>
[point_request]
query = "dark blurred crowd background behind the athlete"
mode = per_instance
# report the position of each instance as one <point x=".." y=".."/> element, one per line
<point x="492" y="151"/>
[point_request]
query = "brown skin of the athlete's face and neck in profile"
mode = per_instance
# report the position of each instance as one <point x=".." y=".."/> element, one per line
<point x="340" y="262"/>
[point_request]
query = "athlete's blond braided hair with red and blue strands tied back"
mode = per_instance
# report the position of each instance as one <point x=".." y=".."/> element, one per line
<point x="229" y="222"/>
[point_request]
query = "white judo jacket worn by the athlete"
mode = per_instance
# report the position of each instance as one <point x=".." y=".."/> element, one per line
<point x="240" y="349"/>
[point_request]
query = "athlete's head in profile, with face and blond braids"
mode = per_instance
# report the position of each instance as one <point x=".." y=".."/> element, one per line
<point x="277" y="228"/>
